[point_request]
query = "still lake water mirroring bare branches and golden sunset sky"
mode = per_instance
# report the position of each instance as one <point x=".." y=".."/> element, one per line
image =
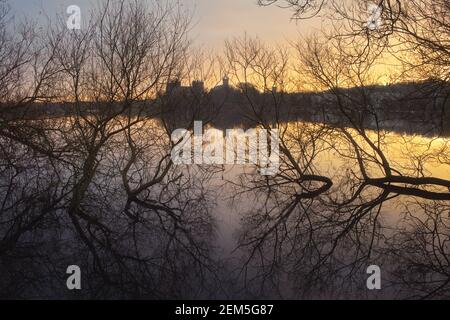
<point x="144" y="228"/>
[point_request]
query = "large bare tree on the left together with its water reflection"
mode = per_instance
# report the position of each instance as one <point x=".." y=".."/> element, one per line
<point x="112" y="201"/>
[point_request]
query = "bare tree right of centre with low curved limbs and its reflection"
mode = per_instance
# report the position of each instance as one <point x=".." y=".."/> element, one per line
<point x="317" y="227"/>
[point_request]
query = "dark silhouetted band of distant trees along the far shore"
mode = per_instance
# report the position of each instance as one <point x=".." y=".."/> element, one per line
<point x="415" y="108"/>
